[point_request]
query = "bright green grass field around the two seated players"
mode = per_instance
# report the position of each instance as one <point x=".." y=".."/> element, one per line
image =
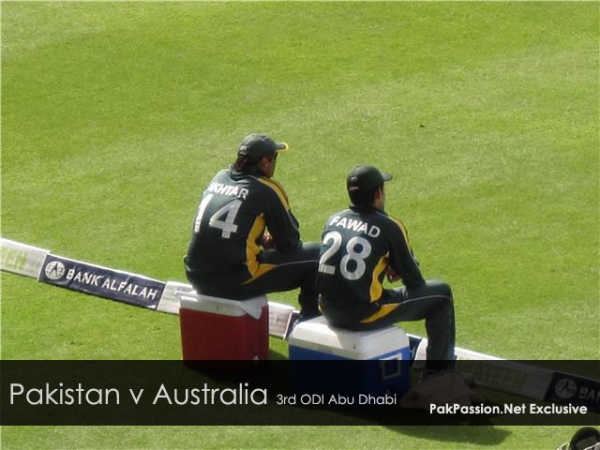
<point x="116" y="114"/>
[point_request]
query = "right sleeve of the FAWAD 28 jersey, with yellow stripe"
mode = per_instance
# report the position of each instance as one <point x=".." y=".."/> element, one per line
<point x="402" y="259"/>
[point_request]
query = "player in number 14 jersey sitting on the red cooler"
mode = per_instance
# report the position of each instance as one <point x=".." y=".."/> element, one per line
<point x="246" y="240"/>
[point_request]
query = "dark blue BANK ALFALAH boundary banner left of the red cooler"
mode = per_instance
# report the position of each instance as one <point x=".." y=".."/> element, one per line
<point x="101" y="281"/>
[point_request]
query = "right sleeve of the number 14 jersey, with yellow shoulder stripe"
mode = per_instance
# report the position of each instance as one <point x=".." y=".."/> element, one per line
<point x="281" y="223"/>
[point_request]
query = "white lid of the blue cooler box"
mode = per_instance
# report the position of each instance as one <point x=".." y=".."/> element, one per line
<point x="318" y="335"/>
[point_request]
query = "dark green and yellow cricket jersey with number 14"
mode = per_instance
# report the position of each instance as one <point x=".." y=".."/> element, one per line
<point x="232" y="216"/>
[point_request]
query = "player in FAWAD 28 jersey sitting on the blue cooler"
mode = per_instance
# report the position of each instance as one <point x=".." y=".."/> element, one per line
<point x="361" y="246"/>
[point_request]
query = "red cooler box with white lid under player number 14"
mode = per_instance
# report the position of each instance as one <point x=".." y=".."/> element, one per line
<point x="218" y="329"/>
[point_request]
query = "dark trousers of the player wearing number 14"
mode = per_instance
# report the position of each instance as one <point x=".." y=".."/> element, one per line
<point x="278" y="272"/>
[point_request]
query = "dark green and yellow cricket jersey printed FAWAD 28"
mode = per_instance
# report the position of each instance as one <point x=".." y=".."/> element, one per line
<point x="357" y="247"/>
